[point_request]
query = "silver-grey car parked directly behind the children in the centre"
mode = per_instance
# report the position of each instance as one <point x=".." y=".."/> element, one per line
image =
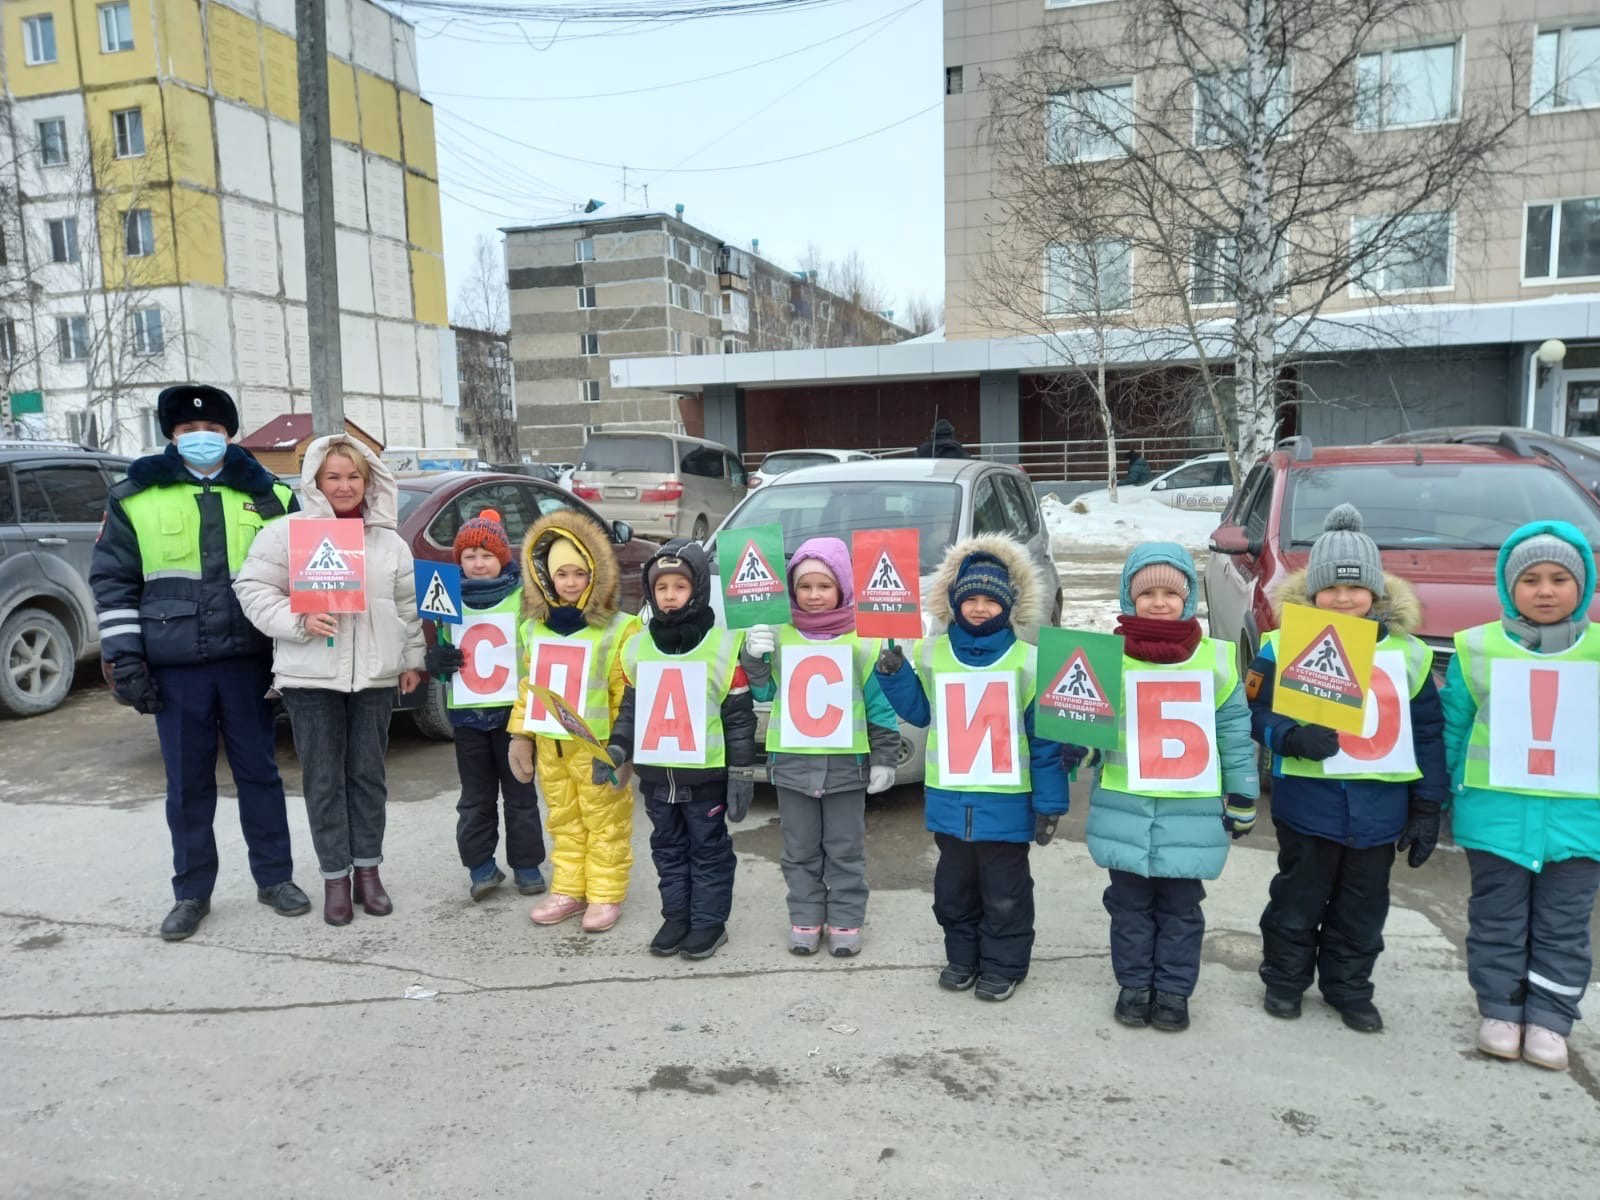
<point x="945" y="500"/>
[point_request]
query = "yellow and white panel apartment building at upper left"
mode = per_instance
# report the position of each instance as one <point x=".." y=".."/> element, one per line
<point x="151" y="217"/>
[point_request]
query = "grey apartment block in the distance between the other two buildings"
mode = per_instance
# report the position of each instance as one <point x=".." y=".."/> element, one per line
<point x="588" y="294"/>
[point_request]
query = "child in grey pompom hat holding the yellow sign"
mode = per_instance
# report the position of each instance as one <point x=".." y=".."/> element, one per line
<point x="1340" y="826"/>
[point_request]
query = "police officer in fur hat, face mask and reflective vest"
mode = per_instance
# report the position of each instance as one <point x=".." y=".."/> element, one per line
<point x="180" y="647"/>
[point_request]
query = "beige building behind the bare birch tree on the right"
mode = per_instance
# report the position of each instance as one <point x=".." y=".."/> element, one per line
<point x="1470" y="295"/>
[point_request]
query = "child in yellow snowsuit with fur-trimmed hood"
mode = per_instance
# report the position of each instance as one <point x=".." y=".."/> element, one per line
<point x="572" y="641"/>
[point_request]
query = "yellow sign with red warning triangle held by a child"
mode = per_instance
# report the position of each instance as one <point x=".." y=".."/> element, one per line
<point x="1326" y="668"/>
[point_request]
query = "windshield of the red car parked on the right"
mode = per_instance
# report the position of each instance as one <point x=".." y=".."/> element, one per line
<point x="1438" y="505"/>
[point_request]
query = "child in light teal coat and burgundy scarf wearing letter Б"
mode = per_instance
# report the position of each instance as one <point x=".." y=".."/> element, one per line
<point x="1159" y="846"/>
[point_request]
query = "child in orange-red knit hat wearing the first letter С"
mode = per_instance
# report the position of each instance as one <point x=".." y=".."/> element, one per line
<point x="492" y="598"/>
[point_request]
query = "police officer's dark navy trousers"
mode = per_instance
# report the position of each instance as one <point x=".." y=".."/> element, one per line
<point x="201" y="706"/>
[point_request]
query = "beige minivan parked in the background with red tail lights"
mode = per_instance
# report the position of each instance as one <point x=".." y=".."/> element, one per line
<point x="665" y="486"/>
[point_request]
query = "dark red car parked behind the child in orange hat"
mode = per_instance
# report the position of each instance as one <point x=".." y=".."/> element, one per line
<point x="433" y="510"/>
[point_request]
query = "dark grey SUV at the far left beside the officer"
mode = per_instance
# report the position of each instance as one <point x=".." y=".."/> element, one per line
<point x="52" y="506"/>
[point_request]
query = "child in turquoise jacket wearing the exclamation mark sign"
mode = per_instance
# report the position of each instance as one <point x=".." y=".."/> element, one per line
<point x="1535" y="852"/>
